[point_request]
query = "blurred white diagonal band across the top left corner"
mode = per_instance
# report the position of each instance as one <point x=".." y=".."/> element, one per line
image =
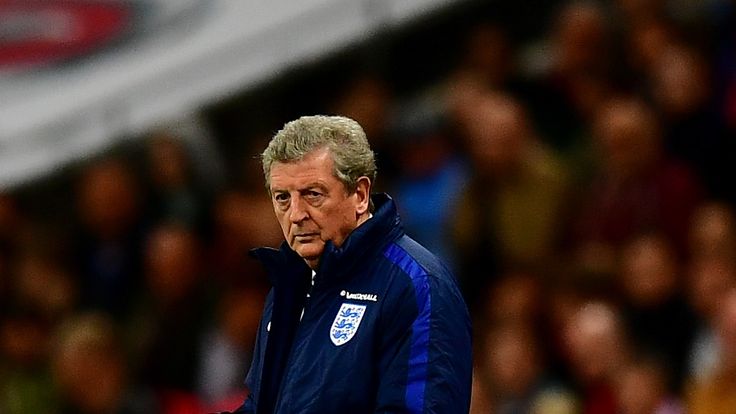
<point x="179" y="56"/>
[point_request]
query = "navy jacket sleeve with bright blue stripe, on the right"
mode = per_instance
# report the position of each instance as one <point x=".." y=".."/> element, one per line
<point x="425" y="357"/>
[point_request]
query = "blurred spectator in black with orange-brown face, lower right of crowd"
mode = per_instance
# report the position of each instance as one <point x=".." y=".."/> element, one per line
<point x="656" y="314"/>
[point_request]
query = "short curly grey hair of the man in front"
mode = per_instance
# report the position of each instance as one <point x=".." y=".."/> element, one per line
<point x="344" y="137"/>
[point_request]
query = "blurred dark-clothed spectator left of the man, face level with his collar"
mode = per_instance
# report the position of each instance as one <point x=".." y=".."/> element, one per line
<point x="166" y="326"/>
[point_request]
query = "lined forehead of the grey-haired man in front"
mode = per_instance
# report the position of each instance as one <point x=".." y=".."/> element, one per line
<point x="316" y="167"/>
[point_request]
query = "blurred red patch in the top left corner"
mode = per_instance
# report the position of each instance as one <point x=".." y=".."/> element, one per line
<point x="42" y="32"/>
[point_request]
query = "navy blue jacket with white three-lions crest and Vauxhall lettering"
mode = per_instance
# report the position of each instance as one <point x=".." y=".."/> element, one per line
<point x="384" y="330"/>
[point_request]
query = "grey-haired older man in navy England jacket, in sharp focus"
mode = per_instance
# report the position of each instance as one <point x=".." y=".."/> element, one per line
<point x="361" y="318"/>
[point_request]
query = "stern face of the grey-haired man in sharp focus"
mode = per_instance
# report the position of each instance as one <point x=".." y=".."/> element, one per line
<point x="313" y="206"/>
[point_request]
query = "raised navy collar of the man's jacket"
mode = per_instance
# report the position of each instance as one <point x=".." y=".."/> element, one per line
<point x="361" y="245"/>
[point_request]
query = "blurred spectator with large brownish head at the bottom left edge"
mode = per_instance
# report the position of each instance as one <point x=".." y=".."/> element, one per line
<point x="90" y="370"/>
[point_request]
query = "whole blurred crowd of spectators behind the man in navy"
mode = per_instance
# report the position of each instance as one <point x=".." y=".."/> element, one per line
<point x="576" y="181"/>
